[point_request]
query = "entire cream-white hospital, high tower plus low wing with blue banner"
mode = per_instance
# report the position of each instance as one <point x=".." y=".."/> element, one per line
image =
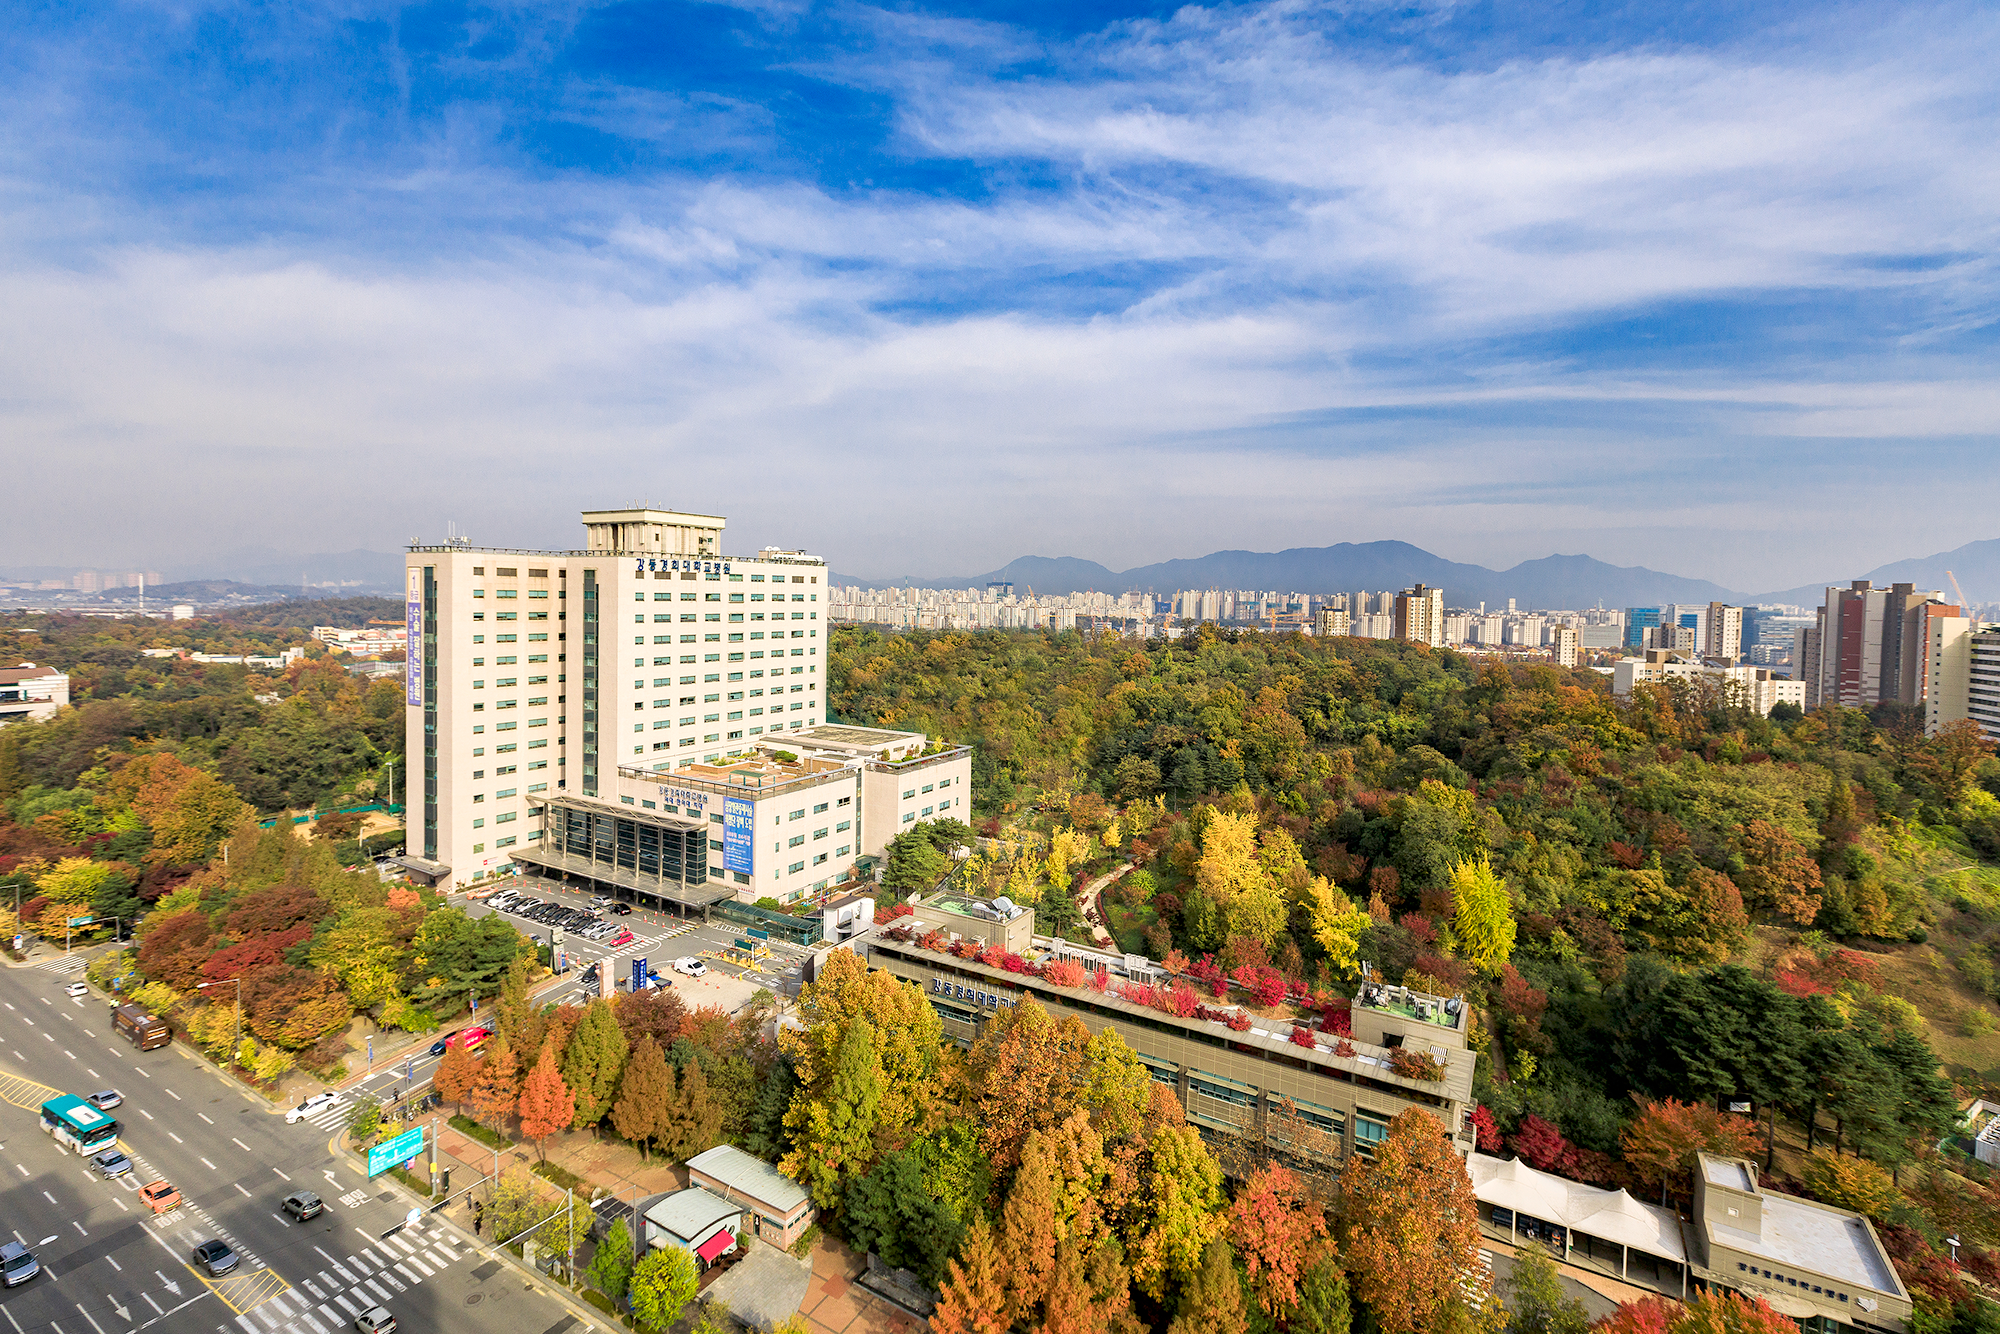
<point x="679" y="755"/>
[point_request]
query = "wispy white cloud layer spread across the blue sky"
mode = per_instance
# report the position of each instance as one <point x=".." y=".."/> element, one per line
<point x="1351" y="321"/>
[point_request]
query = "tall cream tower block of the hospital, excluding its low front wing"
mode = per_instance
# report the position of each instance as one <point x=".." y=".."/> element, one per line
<point x="523" y="685"/>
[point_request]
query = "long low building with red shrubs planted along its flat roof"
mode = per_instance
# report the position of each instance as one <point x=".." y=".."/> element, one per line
<point x="1233" y="1083"/>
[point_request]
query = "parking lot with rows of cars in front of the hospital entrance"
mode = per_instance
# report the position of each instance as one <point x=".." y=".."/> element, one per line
<point x="657" y="937"/>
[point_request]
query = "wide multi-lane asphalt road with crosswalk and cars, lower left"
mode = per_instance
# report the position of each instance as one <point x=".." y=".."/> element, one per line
<point x="115" y="1269"/>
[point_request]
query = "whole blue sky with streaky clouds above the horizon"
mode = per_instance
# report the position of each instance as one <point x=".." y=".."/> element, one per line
<point x="925" y="289"/>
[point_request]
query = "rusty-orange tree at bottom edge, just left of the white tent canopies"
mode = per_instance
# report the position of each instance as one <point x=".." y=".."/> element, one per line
<point x="1409" y="1231"/>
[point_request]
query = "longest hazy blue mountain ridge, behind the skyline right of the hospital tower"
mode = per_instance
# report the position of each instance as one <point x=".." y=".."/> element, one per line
<point x="1347" y="567"/>
